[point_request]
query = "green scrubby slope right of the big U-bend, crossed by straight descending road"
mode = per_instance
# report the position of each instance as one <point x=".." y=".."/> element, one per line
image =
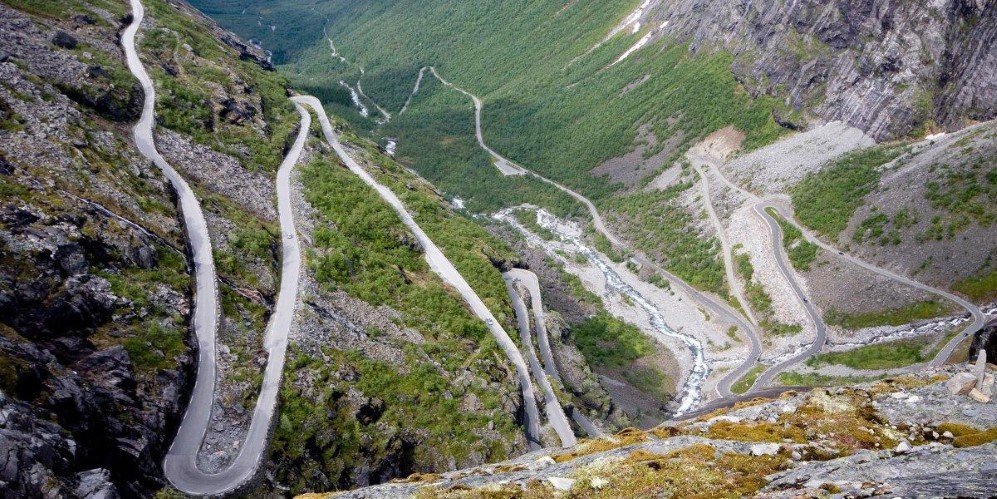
<point x="389" y="373"/>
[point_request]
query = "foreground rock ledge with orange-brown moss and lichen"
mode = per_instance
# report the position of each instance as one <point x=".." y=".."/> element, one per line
<point x="913" y="436"/>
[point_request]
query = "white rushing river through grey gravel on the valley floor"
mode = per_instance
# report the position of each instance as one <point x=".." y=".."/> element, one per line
<point x="570" y="234"/>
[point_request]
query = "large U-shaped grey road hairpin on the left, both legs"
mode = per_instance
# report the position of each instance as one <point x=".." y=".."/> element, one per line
<point x="180" y="463"/>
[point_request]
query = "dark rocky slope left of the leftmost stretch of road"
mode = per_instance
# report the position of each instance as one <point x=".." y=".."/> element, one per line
<point x="93" y="369"/>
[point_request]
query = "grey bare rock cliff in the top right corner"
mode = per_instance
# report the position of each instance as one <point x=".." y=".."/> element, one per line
<point x="890" y="68"/>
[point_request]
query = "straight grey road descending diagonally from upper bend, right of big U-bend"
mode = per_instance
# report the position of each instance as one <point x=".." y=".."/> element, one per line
<point x="442" y="266"/>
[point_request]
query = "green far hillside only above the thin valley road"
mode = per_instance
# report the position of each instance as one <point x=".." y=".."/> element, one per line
<point x="559" y="117"/>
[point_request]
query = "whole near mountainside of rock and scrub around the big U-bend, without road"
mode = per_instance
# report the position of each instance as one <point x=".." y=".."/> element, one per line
<point x="388" y="372"/>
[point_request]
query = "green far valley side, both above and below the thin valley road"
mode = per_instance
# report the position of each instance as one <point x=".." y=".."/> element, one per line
<point x="550" y="103"/>
